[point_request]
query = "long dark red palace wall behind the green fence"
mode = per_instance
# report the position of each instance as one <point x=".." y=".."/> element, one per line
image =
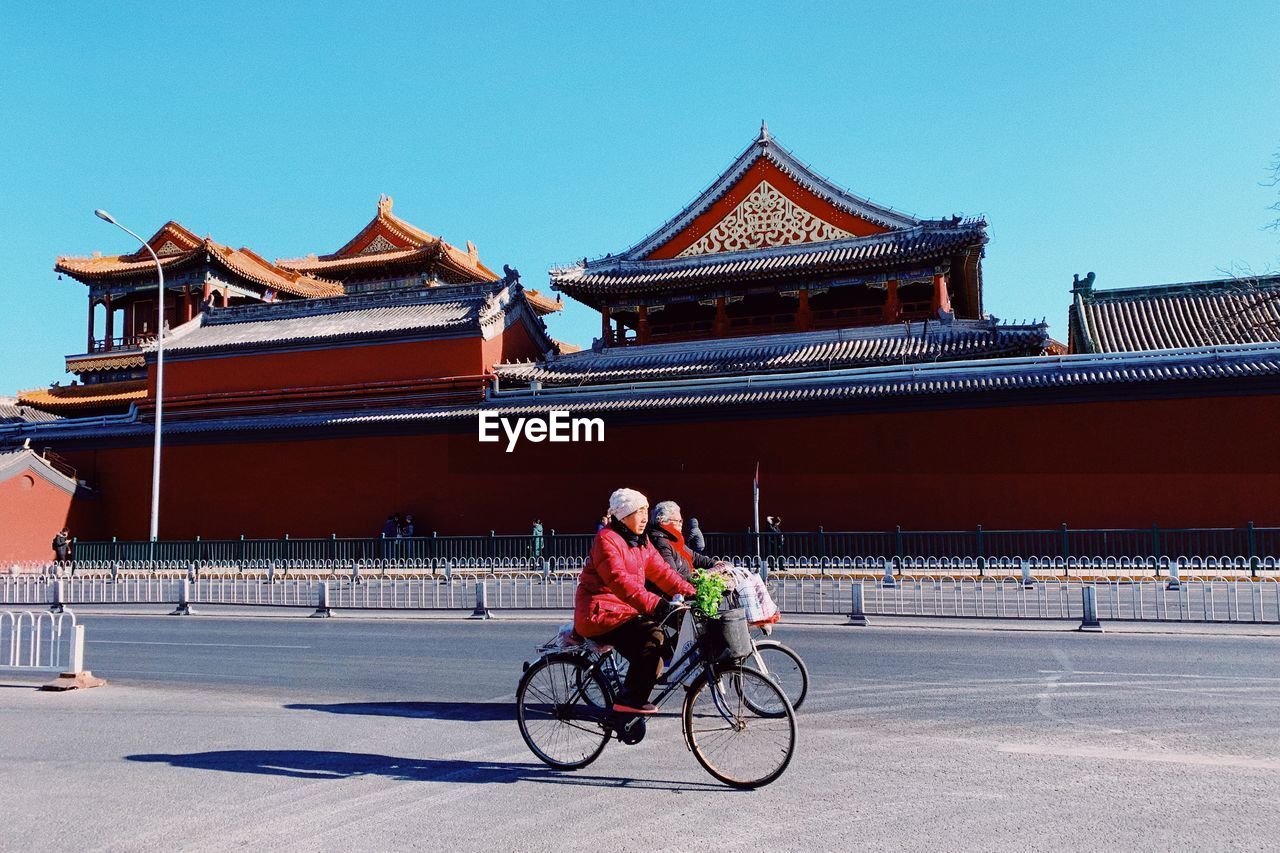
<point x="1127" y="463"/>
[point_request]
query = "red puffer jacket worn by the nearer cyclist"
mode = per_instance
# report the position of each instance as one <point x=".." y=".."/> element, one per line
<point x="611" y="590"/>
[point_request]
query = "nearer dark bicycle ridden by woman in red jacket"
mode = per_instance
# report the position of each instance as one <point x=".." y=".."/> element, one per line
<point x="737" y="722"/>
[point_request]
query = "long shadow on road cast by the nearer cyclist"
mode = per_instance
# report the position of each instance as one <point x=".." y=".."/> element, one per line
<point x="318" y="764"/>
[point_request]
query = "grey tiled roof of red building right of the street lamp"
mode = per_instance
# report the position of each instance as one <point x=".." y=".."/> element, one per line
<point x="449" y="312"/>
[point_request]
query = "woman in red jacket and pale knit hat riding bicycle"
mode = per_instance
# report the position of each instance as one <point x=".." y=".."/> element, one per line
<point x="612" y="605"/>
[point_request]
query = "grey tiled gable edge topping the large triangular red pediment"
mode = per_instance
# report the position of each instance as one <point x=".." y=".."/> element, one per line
<point x="767" y="148"/>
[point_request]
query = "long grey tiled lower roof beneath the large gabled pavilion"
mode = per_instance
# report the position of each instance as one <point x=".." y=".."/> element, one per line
<point x="764" y="355"/>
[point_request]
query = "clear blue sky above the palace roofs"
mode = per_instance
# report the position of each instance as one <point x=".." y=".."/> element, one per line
<point x="1094" y="136"/>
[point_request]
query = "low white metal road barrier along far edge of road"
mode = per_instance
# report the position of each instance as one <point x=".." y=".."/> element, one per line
<point x="1204" y="600"/>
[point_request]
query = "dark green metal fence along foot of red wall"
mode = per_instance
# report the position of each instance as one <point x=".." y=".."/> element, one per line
<point x="1245" y="542"/>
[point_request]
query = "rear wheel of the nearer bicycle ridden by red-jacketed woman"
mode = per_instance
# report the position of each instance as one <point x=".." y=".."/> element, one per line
<point x="560" y="706"/>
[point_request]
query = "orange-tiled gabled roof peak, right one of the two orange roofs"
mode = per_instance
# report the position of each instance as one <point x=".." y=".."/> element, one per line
<point x="390" y="241"/>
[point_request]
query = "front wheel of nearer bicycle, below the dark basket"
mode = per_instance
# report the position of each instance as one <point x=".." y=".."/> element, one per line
<point x="732" y="741"/>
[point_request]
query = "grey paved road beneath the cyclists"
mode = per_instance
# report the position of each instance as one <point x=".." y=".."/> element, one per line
<point x="221" y="733"/>
